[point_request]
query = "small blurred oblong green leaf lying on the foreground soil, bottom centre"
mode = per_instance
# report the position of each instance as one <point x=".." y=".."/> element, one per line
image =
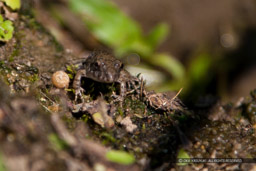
<point x="120" y="157"/>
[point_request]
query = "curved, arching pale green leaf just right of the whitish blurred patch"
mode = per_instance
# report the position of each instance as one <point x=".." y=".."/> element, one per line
<point x="170" y="64"/>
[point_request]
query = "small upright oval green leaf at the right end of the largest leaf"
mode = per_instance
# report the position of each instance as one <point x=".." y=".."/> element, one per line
<point x="157" y="35"/>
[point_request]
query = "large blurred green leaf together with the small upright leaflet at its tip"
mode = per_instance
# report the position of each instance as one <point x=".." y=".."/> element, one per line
<point x="114" y="28"/>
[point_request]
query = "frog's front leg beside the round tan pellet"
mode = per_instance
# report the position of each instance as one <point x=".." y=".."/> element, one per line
<point x="77" y="83"/>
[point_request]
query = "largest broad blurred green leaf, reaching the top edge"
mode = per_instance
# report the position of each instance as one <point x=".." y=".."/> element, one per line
<point x="106" y="21"/>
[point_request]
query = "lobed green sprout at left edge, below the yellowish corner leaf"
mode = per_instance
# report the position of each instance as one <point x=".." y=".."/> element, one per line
<point x="6" y="29"/>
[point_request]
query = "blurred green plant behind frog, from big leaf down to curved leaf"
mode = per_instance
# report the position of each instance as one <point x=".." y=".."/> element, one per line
<point x="112" y="27"/>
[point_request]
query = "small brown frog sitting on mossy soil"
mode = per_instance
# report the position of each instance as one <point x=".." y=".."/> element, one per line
<point x="104" y="67"/>
